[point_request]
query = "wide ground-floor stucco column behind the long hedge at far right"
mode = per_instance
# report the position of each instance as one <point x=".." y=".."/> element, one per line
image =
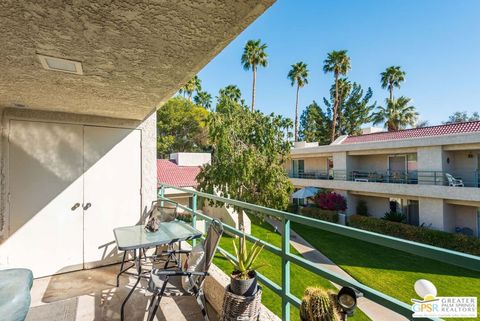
<point x="435" y="214"/>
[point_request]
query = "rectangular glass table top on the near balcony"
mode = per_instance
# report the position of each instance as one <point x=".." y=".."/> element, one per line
<point x="135" y="237"/>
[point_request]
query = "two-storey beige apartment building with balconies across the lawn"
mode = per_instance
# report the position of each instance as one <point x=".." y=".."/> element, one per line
<point x="430" y="174"/>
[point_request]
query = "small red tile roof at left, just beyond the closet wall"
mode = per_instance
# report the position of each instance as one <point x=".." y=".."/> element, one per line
<point x="181" y="176"/>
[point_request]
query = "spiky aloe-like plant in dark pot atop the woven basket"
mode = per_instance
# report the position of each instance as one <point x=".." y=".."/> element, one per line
<point x="243" y="280"/>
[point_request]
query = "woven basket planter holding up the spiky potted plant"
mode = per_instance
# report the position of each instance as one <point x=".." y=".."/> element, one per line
<point x="241" y="308"/>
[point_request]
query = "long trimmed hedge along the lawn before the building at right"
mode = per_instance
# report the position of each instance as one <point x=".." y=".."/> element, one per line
<point x="456" y="242"/>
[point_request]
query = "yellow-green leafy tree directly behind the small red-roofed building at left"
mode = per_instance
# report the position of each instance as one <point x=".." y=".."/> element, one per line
<point x="181" y="127"/>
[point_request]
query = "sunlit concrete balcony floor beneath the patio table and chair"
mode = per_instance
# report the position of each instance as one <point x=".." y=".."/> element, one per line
<point x="91" y="295"/>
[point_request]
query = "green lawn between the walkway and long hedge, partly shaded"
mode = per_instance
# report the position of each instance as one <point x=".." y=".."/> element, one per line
<point x="391" y="271"/>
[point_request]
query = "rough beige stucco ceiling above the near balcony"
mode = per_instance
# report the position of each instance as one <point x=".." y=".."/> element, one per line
<point x="135" y="54"/>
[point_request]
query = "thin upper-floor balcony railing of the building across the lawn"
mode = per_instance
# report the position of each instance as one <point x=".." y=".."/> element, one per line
<point x="443" y="178"/>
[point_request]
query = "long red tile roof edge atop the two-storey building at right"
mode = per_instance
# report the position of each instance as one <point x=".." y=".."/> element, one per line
<point x="439" y="130"/>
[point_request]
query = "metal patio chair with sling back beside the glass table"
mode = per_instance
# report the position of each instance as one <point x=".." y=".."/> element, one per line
<point x="169" y="282"/>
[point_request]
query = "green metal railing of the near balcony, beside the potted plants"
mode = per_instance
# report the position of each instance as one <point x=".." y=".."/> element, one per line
<point x="283" y="290"/>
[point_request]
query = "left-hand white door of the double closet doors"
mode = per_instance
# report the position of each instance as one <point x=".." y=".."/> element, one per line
<point x="46" y="189"/>
